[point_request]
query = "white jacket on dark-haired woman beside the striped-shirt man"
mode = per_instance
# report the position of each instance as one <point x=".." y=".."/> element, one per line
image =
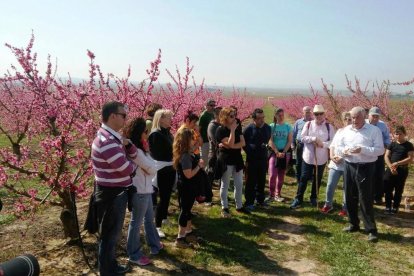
<point x="145" y="172"/>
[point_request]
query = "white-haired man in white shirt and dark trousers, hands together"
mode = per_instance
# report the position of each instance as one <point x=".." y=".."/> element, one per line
<point x="361" y="144"/>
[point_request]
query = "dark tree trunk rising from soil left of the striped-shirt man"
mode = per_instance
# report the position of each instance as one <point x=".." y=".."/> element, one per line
<point x="67" y="217"/>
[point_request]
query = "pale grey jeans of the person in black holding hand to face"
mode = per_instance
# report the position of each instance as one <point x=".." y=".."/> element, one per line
<point x="238" y="187"/>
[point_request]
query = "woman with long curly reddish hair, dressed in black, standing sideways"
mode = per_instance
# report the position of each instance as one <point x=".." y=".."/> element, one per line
<point x="188" y="166"/>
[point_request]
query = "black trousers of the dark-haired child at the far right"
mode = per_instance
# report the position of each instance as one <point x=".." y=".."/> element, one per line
<point x="394" y="184"/>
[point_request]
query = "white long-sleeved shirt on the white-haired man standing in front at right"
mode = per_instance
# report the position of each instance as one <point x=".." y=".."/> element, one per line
<point x="369" y="138"/>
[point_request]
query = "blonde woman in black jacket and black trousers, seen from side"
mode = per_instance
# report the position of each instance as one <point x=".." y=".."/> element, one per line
<point x="160" y="146"/>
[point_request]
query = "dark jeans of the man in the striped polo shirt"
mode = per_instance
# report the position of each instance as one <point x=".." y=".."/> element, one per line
<point x="113" y="220"/>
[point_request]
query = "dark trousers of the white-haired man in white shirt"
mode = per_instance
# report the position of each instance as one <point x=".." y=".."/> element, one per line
<point x="358" y="179"/>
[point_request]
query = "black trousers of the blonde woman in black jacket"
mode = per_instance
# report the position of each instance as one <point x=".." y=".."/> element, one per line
<point x="165" y="180"/>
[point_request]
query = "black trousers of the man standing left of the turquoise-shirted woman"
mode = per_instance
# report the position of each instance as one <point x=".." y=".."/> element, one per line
<point x="255" y="181"/>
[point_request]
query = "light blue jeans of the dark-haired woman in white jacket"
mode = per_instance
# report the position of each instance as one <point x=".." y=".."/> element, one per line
<point x="142" y="211"/>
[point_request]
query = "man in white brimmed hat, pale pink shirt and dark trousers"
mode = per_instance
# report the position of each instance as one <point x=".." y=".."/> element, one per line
<point x="316" y="137"/>
